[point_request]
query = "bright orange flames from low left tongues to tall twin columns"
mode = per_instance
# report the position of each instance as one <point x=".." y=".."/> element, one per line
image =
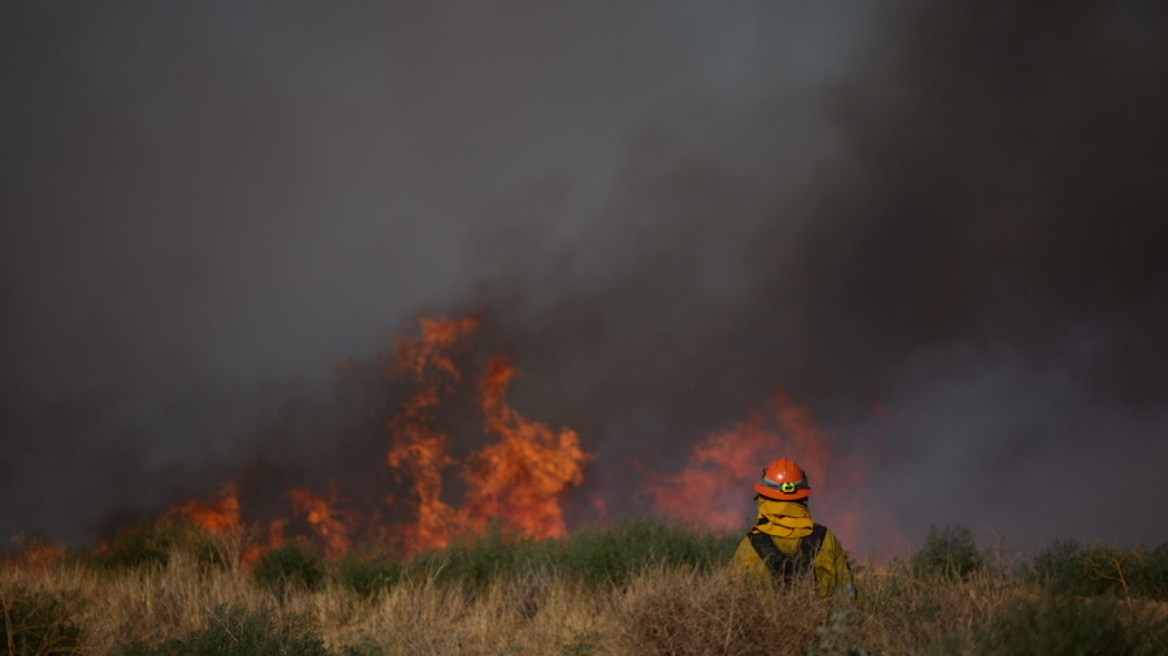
<point x="420" y="456"/>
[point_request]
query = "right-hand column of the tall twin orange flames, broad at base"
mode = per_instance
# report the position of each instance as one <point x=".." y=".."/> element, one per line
<point x="520" y="478"/>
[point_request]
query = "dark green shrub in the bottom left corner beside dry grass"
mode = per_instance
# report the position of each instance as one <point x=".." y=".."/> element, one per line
<point x="39" y="623"/>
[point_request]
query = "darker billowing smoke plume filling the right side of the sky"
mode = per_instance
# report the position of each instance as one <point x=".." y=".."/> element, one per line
<point x="974" y="241"/>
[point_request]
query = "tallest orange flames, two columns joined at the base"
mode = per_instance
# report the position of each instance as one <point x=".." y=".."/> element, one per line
<point x="517" y="479"/>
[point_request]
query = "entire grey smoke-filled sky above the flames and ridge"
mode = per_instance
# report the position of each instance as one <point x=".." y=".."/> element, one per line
<point x="942" y="226"/>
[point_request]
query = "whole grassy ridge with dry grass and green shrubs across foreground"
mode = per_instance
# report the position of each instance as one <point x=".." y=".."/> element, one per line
<point x="641" y="588"/>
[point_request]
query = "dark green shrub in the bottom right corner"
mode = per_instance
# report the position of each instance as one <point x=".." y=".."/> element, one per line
<point x="1072" y="627"/>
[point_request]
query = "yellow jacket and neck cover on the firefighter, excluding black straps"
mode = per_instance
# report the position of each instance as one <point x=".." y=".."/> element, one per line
<point x="787" y="525"/>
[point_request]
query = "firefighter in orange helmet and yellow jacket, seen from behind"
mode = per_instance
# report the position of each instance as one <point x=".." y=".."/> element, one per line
<point x="785" y="545"/>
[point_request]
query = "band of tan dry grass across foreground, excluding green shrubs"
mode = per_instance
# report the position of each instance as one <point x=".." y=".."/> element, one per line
<point x="668" y="611"/>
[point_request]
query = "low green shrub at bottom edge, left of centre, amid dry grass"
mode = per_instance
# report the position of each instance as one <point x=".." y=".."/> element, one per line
<point x="239" y="632"/>
